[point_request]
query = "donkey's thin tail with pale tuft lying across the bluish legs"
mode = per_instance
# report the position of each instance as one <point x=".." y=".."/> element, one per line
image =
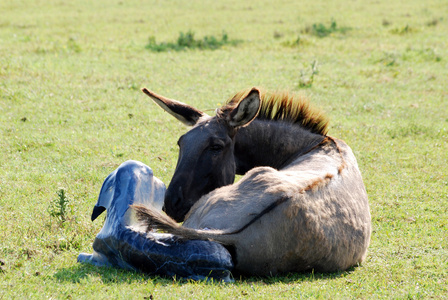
<point x="151" y="218"/>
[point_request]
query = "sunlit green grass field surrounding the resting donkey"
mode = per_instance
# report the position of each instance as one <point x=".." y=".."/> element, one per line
<point x="71" y="111"/>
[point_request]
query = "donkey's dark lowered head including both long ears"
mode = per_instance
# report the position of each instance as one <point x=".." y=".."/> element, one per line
<point x="206" y="160"/>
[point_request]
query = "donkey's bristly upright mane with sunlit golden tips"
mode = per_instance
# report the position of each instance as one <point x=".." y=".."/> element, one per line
<point x="283" y="106"/>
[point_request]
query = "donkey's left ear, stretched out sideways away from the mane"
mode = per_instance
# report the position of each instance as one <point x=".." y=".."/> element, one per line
<point x="181" y="111"/>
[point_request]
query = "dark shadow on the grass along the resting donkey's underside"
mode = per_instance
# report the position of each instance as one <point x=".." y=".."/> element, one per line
<point x="85" y="272"/>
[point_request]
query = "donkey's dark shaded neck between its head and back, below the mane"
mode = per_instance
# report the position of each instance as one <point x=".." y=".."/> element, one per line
<point x="271" y="143"/>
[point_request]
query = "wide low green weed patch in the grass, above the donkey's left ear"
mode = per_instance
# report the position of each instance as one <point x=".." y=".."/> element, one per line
<point x="187" y="41"/>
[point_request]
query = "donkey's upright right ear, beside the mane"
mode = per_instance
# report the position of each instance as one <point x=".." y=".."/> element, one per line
<point x="246" y="110"/>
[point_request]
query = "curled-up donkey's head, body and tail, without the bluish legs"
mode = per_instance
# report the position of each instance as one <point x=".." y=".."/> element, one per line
<point x="301" y="204"/>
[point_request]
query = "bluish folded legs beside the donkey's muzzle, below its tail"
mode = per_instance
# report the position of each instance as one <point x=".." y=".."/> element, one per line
<point x="122" y="244"/>
